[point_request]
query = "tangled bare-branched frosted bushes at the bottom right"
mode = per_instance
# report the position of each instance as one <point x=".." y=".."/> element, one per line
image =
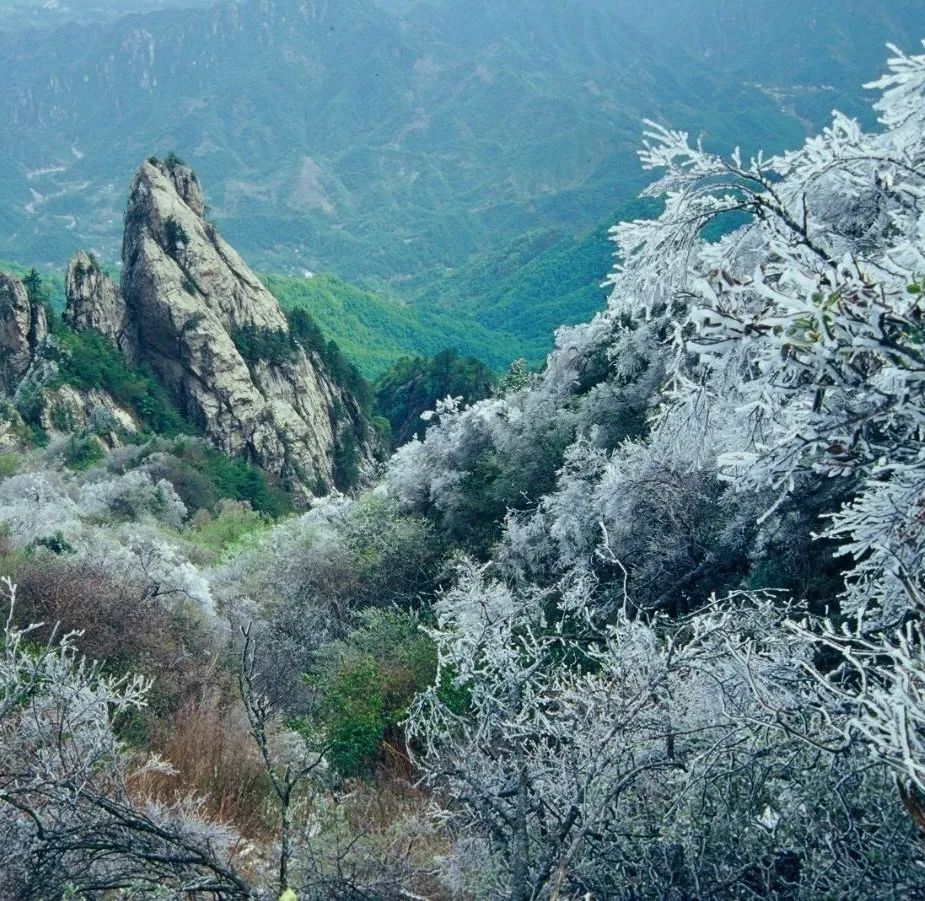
<point x="629" y="759"/>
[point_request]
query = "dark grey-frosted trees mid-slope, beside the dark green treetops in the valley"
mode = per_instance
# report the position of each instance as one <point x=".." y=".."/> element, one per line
<point x="503" y="453"/>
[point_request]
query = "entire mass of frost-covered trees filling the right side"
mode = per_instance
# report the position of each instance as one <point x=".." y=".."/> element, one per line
<point x="774" y="381"/>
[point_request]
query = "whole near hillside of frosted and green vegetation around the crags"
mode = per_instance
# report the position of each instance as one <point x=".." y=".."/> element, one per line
<point x="644" y="623"/>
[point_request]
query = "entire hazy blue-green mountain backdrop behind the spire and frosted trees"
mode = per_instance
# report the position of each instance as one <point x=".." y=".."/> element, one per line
<point x="462" y="158"/>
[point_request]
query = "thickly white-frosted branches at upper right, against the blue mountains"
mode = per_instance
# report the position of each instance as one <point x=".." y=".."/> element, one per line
<point x="800" y="335"/>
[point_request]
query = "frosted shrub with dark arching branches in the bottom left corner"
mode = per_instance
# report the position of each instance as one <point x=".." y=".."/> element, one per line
<point x="68" y="816"/>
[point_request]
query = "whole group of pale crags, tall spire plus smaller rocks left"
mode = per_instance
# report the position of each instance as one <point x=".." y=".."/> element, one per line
<point x="191" y="312"/>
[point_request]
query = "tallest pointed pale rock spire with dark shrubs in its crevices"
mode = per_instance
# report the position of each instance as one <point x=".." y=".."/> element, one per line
<point x="193" y="306"/>
